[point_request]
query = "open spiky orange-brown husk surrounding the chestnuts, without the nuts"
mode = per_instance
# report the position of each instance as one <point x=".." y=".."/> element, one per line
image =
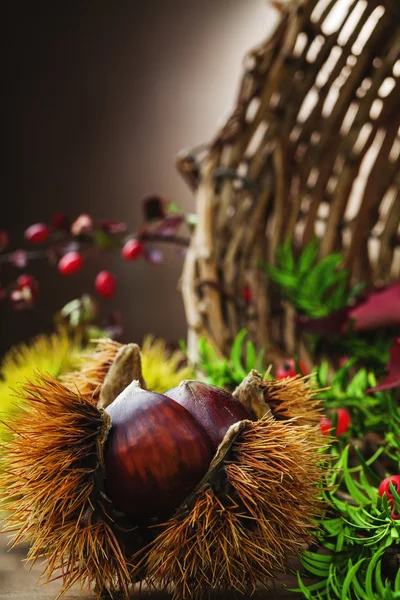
<point x="255" y="507"/>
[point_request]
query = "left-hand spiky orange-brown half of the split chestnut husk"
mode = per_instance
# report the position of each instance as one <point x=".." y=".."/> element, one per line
<point x="51" y="487"/>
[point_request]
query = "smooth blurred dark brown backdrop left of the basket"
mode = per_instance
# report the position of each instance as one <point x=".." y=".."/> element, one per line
<point x="100" y="97"/>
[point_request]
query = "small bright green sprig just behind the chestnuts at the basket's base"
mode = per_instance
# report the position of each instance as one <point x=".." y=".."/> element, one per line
<point x="229" y="372"/>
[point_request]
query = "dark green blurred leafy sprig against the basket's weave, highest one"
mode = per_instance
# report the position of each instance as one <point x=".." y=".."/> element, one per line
<point x="314" y="287"/>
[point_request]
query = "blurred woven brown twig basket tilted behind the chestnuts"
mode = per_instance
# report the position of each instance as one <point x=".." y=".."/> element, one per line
<point x="312" y="147"/>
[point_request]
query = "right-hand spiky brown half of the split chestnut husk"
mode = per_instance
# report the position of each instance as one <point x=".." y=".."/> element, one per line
<point x="243" y="523"/>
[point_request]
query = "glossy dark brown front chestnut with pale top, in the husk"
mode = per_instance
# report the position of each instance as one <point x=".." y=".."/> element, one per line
<point x="156" y="453"/>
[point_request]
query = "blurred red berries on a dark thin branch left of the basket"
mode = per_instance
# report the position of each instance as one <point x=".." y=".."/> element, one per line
<point x="67" y="245"/>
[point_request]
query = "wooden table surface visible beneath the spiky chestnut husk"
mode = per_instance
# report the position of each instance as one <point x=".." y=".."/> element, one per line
<point x="18" y="583"/>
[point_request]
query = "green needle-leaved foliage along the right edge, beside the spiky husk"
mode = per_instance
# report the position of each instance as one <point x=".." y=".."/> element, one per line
<point x="358" y="541"/>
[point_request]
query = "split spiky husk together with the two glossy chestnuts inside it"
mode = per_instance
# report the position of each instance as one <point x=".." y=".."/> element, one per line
<point x="194" y="489"/>
